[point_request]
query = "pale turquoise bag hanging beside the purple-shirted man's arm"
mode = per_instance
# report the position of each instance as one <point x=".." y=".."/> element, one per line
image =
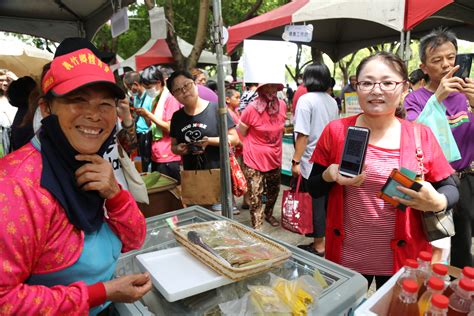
<point x="434" y="116"/>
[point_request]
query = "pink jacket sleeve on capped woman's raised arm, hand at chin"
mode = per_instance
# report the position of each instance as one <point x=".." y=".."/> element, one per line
<point x="126" y="220"/>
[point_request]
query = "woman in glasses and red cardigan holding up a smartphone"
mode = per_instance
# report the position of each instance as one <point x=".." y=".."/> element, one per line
<point x="363" y="232"/>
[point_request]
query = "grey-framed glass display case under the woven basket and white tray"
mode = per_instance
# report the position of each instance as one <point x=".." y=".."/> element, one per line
<point x="346" y="288"/>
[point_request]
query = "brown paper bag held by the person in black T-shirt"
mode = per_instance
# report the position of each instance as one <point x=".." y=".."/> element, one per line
<point x="201" y="187"/>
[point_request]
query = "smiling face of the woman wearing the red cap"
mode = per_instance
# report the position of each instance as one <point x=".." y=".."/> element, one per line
<point x="86" y="116"/>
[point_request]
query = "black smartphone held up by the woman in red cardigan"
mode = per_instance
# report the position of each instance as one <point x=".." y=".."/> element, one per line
<point x="355" y="148"/>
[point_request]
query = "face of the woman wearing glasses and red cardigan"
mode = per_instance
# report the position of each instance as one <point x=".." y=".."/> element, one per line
<point x="377" y="102"/>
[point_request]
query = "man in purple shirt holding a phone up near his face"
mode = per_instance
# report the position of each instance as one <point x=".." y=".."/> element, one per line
<point x="438" y="53"/>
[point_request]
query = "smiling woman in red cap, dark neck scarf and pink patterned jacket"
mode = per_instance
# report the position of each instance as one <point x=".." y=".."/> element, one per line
<point x="65" y="220"/>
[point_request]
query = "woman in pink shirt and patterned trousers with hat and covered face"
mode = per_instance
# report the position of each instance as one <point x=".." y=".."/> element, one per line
<point x="262" y="125"/>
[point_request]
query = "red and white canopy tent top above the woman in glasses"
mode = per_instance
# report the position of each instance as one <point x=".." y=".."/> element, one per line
<point x="343" y="26"/>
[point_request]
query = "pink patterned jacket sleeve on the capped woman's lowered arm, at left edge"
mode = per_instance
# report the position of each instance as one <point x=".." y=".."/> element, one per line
<point x="28" y="231"/>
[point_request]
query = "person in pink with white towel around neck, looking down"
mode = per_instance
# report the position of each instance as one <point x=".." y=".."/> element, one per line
<point x="163" y="106"/>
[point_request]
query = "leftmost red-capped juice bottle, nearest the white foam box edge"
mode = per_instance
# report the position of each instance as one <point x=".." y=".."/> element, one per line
<point x="406" y="304"/>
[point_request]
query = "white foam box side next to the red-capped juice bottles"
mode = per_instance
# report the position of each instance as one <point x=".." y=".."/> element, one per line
<point x="379" y="302"/>
